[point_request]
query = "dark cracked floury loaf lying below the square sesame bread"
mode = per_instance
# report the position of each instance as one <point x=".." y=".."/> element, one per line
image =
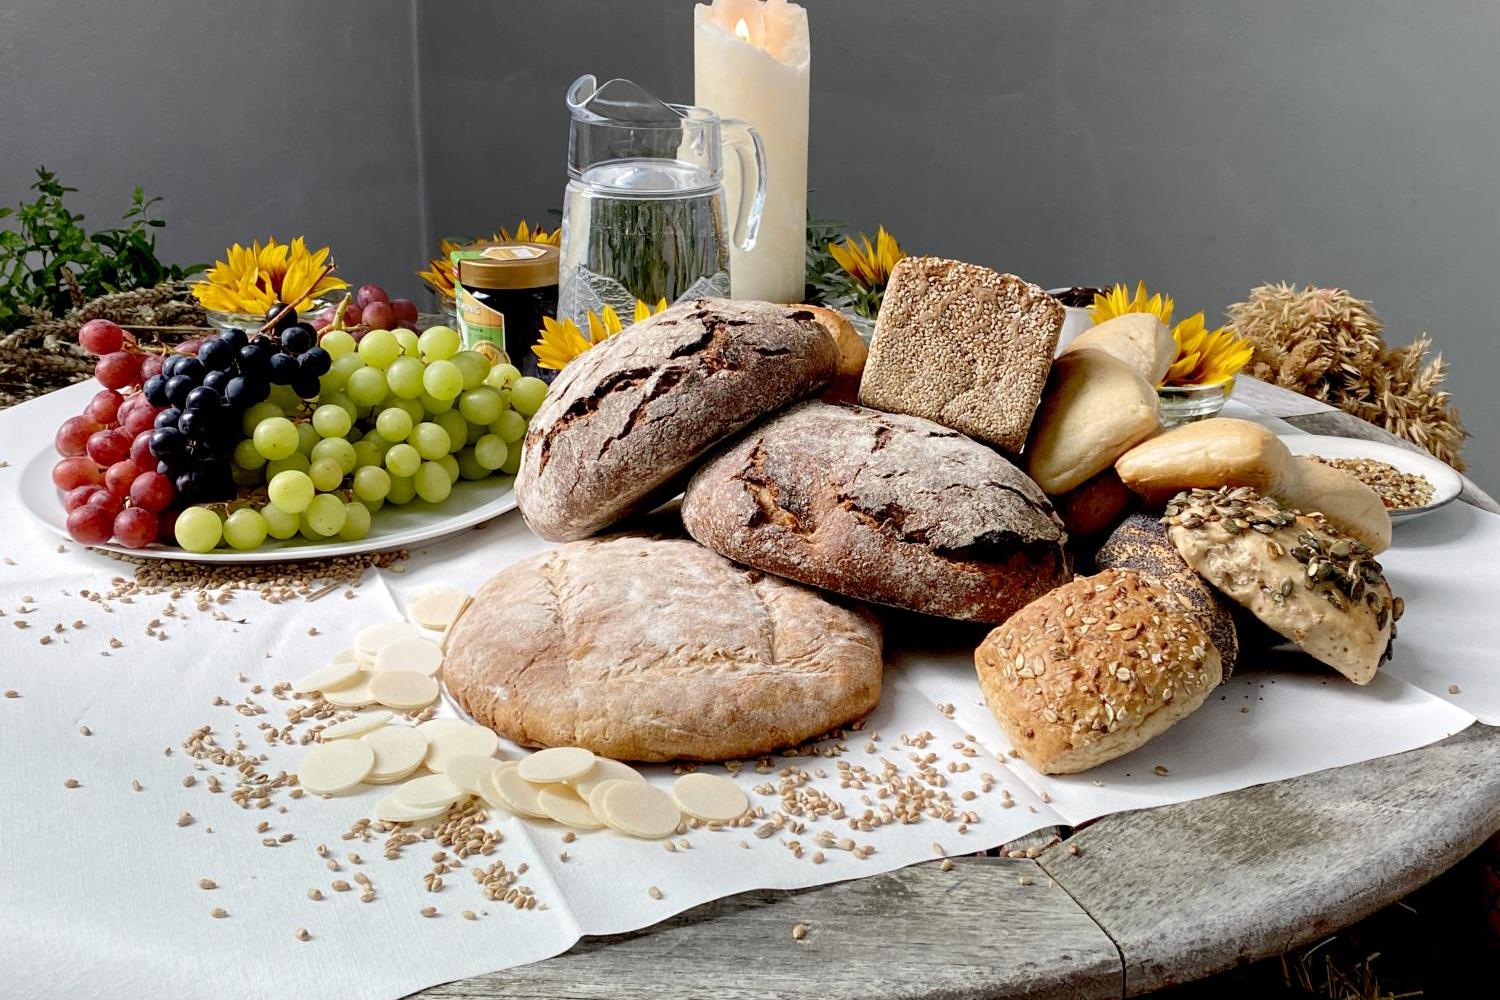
<point x="881" y="507"/>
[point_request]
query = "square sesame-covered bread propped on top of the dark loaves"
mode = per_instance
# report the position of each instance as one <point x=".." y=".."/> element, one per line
<point x="965" y="347"/>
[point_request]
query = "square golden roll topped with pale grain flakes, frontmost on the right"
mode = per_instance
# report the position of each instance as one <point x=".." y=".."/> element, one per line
<point x="1096" y="669"/>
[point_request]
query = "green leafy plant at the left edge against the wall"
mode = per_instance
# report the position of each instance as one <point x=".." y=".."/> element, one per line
<point x="49" y="259"/>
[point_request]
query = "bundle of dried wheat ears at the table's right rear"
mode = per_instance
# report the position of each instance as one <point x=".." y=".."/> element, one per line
<point x="1327" y="344"/>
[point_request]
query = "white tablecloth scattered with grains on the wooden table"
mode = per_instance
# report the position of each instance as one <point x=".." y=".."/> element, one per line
<point x="100" y="890"/>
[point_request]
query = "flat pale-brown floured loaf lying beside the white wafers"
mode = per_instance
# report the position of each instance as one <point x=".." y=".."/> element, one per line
<point x="646" y="648"/>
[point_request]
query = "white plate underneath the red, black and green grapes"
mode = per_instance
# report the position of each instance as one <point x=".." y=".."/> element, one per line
<point x="472" y="503"/>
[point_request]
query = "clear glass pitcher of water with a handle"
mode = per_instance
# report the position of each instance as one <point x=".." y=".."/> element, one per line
<point x="644" y="215"/>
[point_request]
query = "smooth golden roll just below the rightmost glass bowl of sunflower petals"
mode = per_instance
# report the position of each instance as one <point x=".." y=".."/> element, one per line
<point x="1208" y="454"/>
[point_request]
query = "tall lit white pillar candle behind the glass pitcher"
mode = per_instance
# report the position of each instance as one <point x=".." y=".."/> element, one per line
<point x="752" y="62"/>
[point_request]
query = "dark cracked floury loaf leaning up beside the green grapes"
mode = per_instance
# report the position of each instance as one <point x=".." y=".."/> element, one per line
<point x="625" y="421"/>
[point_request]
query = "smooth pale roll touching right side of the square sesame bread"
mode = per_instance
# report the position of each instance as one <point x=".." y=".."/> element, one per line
<point x="1094" y="410"/>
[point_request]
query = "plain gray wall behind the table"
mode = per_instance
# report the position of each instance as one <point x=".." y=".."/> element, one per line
<point x="1204" y="148"/>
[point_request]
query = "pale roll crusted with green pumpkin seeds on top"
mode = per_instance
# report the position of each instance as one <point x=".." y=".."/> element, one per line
<point x="1295" y="572"/>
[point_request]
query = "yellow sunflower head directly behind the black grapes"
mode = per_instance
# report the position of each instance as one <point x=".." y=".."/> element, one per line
<point x="256" y="278"/>
